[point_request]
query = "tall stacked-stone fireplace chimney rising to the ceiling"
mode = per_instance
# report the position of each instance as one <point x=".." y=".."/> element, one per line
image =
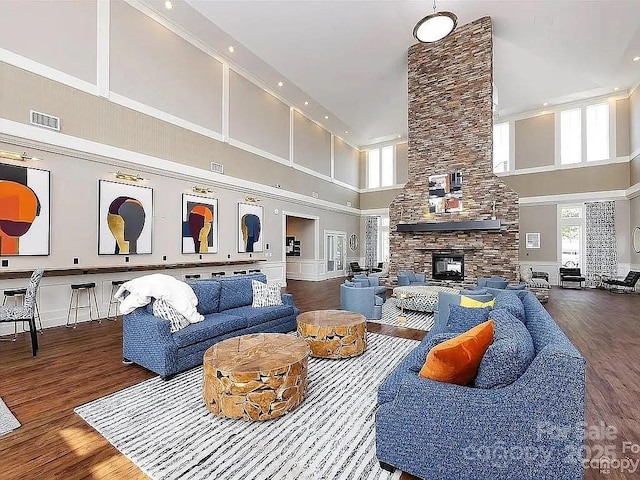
<point x="451" y="130"/>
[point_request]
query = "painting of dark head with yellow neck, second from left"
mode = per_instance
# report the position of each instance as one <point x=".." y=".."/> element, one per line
<point x="125" y="218"/>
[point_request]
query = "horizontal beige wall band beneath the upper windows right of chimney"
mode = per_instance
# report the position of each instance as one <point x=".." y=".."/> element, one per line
<point x="575" y="180"/>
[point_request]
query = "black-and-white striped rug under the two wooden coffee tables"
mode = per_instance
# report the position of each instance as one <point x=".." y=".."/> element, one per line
<point x="165" y="429"/>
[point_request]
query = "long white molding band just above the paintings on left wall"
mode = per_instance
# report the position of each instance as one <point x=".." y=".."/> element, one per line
<point x="98" y="152"/>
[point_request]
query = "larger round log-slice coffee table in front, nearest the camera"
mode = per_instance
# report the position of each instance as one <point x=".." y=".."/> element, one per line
<point x="255" y="377"/>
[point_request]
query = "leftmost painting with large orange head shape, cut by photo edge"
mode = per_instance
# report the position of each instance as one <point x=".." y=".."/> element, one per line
<point x="24" y="210"/>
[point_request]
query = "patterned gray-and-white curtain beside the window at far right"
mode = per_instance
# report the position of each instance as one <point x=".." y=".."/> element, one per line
<point x="601" y="253"/>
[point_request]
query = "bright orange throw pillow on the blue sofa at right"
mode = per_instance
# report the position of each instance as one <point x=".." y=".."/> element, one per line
<point x="457" y="360"/>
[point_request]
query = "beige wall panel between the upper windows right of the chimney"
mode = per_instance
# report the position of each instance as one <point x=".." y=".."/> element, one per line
<point x="535" y="141"/>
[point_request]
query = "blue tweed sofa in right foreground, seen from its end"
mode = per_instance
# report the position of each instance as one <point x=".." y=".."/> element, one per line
<point x="529" y="429"/>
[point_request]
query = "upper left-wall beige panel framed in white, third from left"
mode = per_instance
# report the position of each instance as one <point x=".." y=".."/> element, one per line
<point x="258" y="118"/>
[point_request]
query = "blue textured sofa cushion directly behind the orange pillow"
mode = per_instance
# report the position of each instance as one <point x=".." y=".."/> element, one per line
<point x="510" y="354"/>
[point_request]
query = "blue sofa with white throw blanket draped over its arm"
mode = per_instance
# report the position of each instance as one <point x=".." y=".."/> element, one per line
<point x="226" y="306"/>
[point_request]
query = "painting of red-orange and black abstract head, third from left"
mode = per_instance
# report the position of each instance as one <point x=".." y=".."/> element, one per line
<point x="199" y="224"/>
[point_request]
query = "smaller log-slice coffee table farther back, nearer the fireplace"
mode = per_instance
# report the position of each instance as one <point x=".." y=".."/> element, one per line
<point x="333" y="333"/>
